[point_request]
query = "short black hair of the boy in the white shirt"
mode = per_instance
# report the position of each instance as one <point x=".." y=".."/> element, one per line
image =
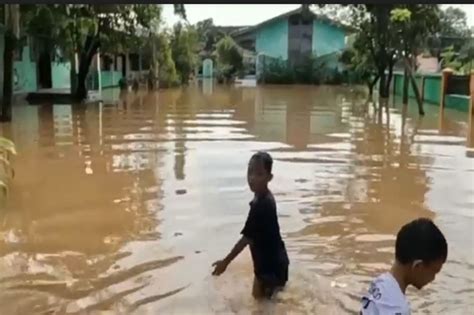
<point x="420" y="239"/>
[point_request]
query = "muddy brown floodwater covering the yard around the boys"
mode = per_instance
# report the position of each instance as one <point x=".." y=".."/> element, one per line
<point x="121" y="208"/>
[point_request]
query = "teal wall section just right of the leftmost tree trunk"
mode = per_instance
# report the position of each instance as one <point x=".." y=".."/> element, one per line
<point x="25" y="72"/>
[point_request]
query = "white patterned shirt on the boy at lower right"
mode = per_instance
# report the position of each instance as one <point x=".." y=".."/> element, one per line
<point x="385" y="298"/>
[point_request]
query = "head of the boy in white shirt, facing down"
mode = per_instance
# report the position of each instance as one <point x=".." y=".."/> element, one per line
<point x="422" y="249"/>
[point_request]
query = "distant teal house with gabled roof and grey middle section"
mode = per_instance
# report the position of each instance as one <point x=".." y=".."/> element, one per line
<point x="294" y="35"/>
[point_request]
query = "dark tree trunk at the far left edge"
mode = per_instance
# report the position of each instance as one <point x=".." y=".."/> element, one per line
<point x="6" y="111"/>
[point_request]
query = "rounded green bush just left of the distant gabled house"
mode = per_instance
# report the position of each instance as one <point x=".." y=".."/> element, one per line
<point x="229" y="58"/>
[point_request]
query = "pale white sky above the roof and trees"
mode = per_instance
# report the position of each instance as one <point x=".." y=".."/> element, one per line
<point x="250" y="14"/>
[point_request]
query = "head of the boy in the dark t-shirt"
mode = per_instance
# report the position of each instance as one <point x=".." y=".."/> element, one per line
<point x="259" y="171"/>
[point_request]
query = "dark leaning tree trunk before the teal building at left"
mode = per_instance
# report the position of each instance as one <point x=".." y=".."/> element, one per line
<point x="90" y="49"/>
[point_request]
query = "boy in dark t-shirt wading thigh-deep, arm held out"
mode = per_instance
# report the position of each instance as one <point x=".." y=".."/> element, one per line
<point x="261" y="232"/>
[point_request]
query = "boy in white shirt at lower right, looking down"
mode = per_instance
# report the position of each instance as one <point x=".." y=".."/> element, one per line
<point x="420" y="252"/>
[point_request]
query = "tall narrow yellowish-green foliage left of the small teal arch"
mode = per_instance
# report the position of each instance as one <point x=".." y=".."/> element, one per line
<point x="184" y="46"/>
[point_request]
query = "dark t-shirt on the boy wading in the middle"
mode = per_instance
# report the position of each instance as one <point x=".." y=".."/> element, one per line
<point x="268" y="249"/>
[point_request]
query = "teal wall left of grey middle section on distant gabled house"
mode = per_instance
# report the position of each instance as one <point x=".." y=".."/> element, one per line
<point x="272" y="39"/>
